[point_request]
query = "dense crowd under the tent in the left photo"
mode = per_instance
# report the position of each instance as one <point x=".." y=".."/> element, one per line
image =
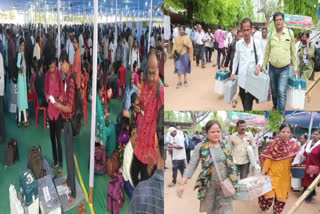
<point x="31" y="66"/>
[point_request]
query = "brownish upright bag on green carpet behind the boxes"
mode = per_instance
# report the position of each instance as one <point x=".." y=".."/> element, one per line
<point x="35" y="162"/>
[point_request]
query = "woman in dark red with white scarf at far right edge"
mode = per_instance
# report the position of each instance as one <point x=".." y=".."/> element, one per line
<point x="312" y="162"/>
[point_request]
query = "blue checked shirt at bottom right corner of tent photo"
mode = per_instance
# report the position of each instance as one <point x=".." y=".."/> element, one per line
<point x="148" y="195"/>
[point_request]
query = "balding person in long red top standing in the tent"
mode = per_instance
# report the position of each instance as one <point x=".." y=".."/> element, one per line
<point x="150" y="101"/>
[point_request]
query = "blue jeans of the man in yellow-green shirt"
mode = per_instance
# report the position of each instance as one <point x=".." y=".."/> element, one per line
<point x="279" y="81"/>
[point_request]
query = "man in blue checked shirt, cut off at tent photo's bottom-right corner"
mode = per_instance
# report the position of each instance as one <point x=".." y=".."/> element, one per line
<point x="148" y="195"/>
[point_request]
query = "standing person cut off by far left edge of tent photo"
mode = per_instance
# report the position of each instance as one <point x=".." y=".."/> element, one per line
<point x="2" y="122"/>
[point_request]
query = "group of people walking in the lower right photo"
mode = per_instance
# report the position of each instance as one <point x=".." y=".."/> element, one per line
<point x="231" y="157"/>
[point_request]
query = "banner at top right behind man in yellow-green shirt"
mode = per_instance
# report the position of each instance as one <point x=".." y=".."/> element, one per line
<point x="296" y="21"/>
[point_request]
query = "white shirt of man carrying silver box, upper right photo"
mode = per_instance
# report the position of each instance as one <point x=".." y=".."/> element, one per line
<point x="245" y="58"/>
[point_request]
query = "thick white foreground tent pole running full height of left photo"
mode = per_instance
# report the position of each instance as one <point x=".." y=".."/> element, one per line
<point x="94" y="97"/>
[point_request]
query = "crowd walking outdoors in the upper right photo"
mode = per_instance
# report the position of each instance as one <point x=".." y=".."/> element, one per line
<point x="277" y="52"/>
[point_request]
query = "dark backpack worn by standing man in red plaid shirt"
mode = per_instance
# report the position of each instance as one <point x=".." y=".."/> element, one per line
<point x="78" y="116"/>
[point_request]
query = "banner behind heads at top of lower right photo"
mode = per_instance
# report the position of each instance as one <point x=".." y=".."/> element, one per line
<point x="252" y="120"/>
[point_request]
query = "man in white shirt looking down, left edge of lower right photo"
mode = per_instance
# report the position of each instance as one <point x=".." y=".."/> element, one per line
<point x="176" y="144"/>
